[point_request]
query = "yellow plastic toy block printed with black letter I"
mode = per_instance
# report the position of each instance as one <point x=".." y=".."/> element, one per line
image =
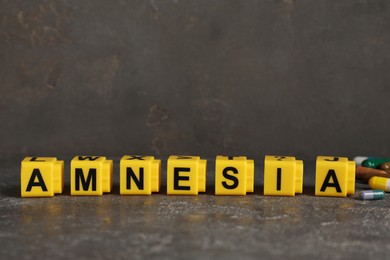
<point x="283" y="176"/>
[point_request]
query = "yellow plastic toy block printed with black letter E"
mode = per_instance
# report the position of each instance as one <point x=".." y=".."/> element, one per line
<point x="186" y="175"/>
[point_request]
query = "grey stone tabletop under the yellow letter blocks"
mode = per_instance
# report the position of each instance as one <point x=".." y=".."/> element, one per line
<point x="204" y="226"/>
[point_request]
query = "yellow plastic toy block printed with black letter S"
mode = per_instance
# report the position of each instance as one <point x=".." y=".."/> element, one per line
<point x="234" y="175"/>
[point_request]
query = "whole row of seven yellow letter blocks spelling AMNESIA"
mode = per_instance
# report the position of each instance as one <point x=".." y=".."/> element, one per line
<point x="186" y="175"/>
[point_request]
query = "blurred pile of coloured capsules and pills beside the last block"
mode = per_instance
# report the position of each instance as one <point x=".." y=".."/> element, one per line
<point x="375" y="172"/>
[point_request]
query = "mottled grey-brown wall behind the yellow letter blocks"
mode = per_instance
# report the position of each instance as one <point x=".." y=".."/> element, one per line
<point x="196" y="77"/>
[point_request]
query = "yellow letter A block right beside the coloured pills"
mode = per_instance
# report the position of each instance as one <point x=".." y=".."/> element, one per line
<point x="335" y="176"/>
